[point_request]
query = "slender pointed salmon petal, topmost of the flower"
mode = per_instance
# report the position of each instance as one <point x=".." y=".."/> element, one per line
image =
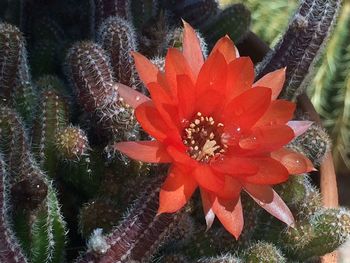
<point x="192" y="49"/>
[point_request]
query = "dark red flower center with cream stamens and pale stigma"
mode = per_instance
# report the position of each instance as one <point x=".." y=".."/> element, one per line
<point x="203" y="138"/>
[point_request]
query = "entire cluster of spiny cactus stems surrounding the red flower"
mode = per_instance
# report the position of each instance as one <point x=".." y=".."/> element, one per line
<point x="61" y="112"/>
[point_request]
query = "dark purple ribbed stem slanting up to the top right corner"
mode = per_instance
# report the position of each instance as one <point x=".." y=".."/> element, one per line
<point x="301" y="43"/>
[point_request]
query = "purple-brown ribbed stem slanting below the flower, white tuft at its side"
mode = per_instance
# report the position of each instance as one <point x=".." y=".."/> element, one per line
<point x="139" y="235"/>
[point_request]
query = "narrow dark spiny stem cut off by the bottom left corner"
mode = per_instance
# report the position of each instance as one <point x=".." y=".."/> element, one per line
<point x="10" y="250"/>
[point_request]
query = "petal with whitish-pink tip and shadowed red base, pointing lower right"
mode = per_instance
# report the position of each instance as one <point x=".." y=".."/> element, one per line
<point x="268" y="199"/>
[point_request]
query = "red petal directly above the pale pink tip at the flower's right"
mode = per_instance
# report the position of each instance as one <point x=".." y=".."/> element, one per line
<point x="279" y="112"/>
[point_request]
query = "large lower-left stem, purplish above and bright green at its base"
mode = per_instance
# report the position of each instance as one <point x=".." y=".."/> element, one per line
<point x="35" y="199"/>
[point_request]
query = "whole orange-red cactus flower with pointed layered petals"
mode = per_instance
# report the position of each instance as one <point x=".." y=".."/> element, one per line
<point x="220" y="131"/>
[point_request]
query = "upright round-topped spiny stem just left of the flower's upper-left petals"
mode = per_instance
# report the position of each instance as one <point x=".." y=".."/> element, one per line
<point x="117" y="36"/>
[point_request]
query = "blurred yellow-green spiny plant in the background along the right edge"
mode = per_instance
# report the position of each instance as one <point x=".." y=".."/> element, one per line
<point x="330" y="89"/>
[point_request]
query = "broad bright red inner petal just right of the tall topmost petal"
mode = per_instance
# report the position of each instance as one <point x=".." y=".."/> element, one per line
<point x="212" y="75"/>
